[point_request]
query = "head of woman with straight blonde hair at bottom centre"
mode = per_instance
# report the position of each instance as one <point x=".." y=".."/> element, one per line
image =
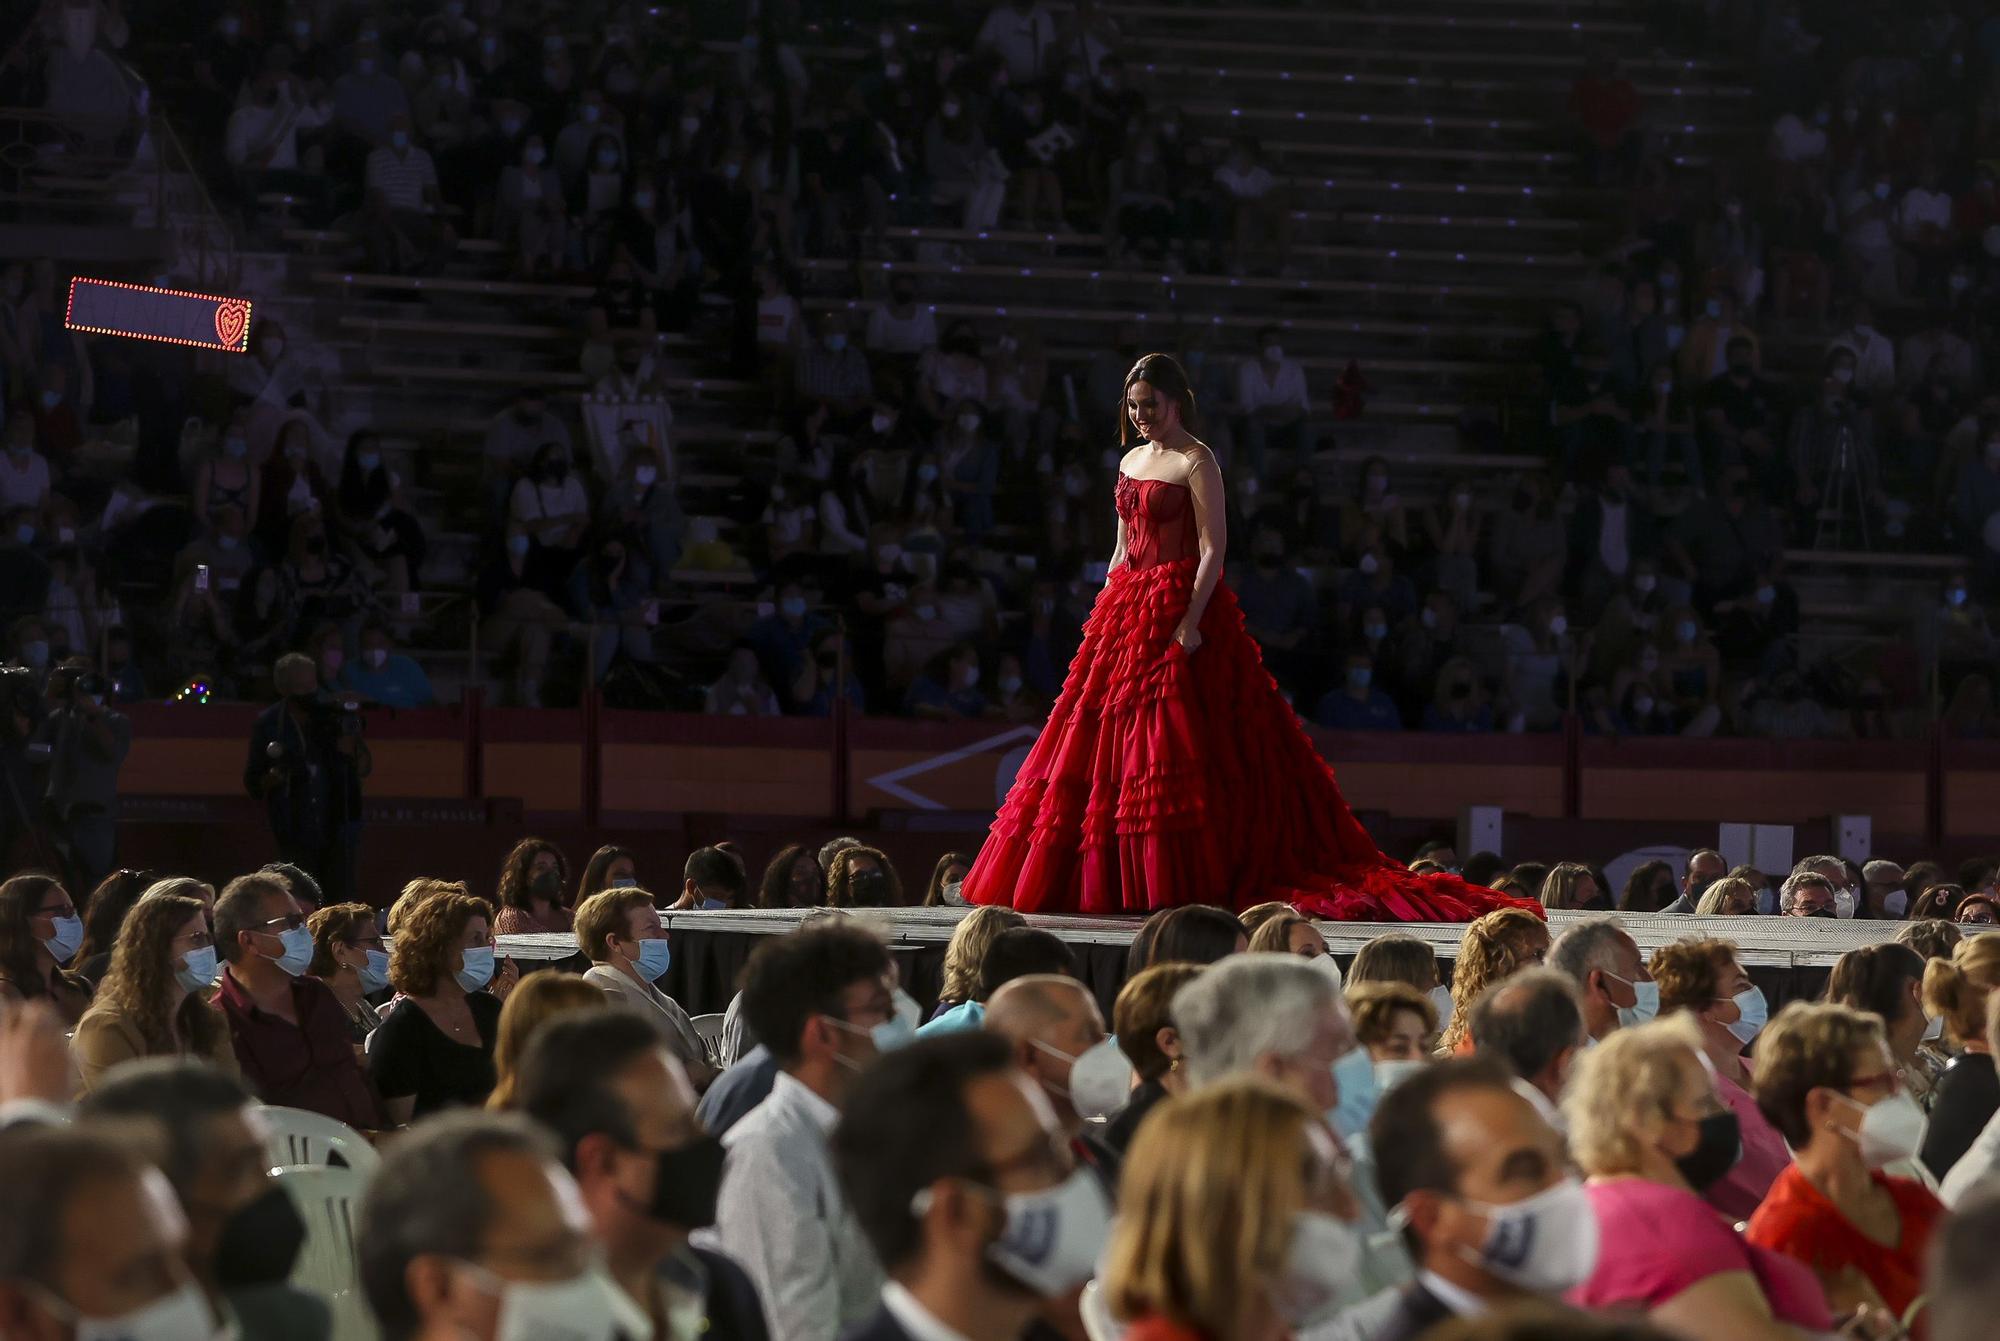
<point x="1235" y="1220"/>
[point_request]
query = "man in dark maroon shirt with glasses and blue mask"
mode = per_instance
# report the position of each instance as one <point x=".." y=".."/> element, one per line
<point x="289" y="1030"/>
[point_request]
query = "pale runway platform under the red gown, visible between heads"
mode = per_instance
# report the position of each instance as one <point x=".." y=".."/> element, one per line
<point x="1789" y="958"/>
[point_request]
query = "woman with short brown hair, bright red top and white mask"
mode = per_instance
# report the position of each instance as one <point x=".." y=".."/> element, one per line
<point x="1829" y="1082"/>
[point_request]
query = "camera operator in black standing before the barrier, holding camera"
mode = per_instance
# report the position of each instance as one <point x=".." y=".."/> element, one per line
<point x="307" y="764"/>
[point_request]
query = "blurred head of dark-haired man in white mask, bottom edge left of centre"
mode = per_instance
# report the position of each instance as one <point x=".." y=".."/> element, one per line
<point x="473" y="1232"/>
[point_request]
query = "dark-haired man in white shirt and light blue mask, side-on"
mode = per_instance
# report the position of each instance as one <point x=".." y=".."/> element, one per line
<point x="821" y="1000"/>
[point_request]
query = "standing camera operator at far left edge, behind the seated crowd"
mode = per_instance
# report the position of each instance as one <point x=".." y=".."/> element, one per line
<point x="87" y="746"/>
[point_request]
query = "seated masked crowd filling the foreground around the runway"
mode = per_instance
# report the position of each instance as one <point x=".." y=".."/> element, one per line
<point x="1255" y="1142"/>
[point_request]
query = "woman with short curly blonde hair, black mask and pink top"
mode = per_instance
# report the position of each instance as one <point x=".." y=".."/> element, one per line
<point x="1651" y="1132"/>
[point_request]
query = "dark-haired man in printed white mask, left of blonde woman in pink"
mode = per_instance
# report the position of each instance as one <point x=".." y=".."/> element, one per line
<point x="1485" y="1196"/>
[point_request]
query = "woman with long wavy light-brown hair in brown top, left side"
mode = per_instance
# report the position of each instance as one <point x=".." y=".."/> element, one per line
<point x="153" y="998"/>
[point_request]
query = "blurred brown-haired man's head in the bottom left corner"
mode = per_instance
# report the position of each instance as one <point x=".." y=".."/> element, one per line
<point x="93" y="1244"/>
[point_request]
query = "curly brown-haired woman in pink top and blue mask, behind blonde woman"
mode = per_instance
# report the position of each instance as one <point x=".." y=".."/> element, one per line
<point x="1703" y="978"/>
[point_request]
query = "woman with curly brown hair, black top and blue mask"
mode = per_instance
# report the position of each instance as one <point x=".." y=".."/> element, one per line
<point x="435" y="1048"/>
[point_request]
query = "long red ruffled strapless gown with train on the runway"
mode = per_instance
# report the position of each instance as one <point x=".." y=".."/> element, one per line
<point x="1165" y="778"/>
